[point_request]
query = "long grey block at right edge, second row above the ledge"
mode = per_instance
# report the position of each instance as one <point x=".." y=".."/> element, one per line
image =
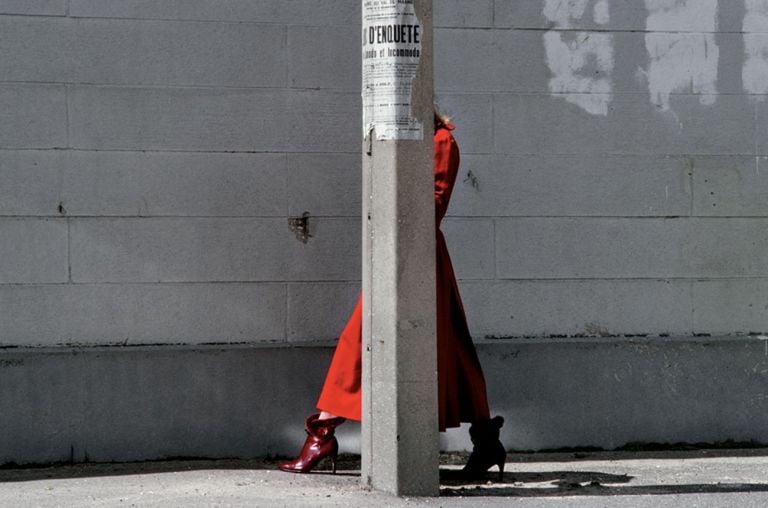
<point x="636" y="248"/>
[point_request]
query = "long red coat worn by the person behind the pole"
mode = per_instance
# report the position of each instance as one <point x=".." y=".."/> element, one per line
<point x="461" y="386"/>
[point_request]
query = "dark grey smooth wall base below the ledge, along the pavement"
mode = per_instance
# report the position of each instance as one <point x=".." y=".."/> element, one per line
<point x="116" y="404"/>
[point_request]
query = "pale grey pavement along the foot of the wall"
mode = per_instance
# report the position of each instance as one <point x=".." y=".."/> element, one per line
<point x="715" y="478"/>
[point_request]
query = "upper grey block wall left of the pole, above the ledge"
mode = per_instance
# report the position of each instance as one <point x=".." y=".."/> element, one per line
<point x="152" y="153"/>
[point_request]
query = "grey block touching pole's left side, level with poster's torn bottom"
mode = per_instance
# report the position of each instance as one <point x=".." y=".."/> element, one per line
<point x="324" y="121"/>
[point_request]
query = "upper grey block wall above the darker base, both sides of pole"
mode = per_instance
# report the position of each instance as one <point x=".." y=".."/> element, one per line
<point x="151" y="154"/>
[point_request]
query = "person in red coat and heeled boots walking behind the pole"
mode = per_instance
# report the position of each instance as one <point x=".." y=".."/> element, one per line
<point x="461" y="385"/>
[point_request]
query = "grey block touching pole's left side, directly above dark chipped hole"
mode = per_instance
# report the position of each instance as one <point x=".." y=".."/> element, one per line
<point x="324" y="184"/>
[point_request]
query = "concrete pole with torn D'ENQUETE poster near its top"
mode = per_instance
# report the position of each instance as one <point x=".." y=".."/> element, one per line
<point x="400" y="437"/>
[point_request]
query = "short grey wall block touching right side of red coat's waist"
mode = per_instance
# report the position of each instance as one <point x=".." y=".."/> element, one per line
<point x="471" y="246"/>
